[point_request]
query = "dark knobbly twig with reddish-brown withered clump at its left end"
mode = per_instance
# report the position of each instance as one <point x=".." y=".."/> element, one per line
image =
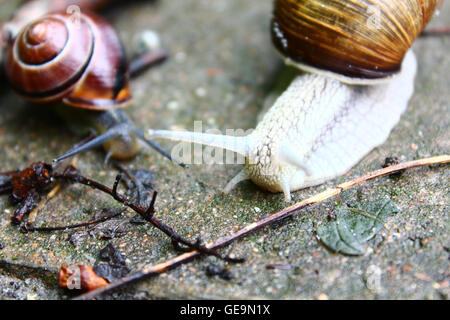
<point x="39" y="176"/>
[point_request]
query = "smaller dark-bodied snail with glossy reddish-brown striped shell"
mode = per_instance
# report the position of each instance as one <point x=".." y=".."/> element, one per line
<point x="80" y="62"/>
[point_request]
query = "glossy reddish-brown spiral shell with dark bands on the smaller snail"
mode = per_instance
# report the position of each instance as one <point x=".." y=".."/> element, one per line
<point x="79" y="62"/>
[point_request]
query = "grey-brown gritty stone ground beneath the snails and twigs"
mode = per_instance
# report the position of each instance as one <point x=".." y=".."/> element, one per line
<point x="220" y="70"/>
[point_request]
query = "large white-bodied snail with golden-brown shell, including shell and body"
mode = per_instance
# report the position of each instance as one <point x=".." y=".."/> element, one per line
<point x="360" y="76"/>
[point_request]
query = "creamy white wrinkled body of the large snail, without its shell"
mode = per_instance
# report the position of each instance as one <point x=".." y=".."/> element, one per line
<point x="316" y="130"/>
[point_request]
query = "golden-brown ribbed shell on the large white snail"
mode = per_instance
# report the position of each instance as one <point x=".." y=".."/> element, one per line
<point x="358" y="39"/>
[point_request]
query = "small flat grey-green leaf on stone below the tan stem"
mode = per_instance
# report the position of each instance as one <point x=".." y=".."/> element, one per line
<point x="353" y="227"/>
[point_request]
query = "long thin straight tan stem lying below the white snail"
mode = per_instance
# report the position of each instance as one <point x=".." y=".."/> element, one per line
<point x="271" y="219"/>
